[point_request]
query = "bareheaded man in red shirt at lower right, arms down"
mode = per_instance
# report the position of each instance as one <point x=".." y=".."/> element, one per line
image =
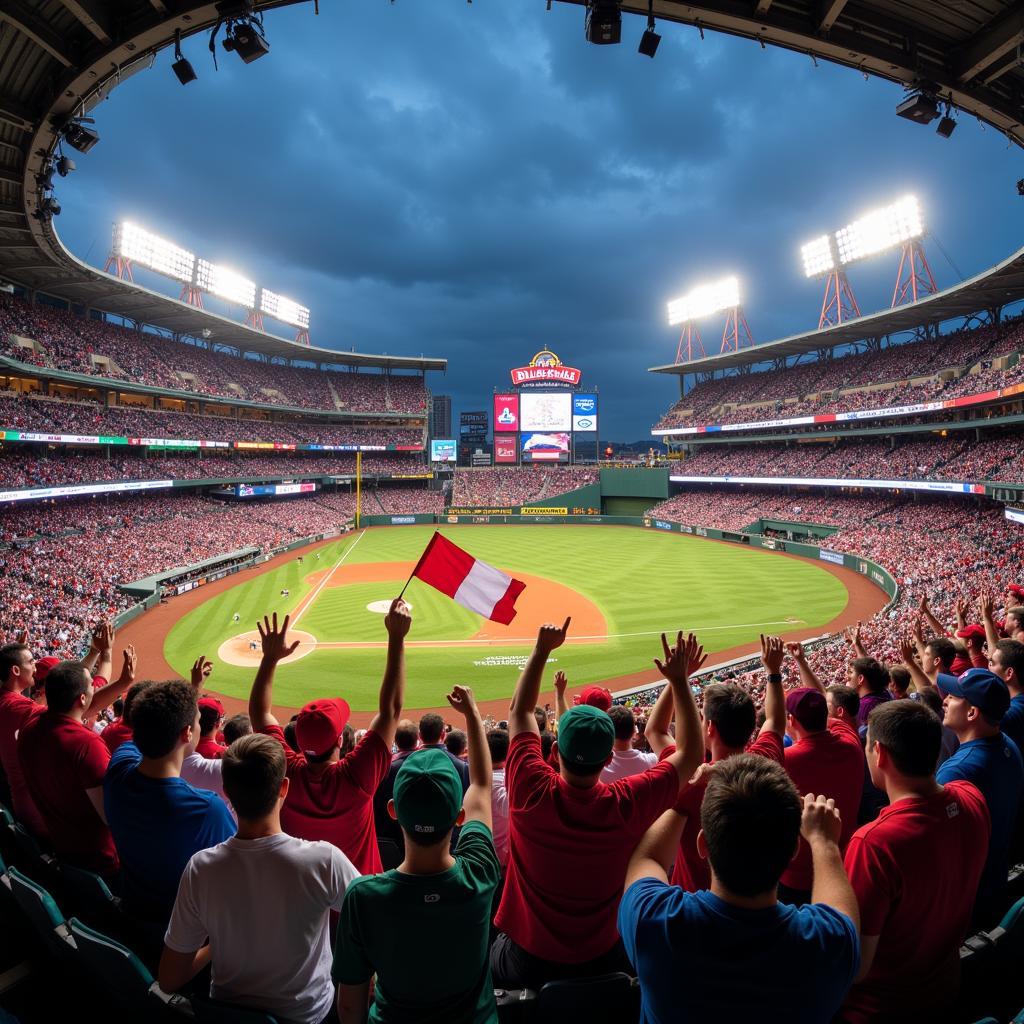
<point x="916" y="871"/>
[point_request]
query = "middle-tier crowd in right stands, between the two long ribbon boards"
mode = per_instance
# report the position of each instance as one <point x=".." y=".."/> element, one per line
<point x="956" y="458"/>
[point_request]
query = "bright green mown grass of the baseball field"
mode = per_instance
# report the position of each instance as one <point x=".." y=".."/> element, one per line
<point x="644" y="582"/>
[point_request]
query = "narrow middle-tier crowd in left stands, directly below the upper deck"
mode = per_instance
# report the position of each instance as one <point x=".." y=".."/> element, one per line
<point x="89" y="419"/>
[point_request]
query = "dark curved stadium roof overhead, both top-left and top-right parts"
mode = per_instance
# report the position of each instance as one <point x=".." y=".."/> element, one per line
<point x="59" y="59"/>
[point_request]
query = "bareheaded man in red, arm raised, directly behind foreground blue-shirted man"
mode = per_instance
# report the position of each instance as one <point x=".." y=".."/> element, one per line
<point x="729" y="718"/>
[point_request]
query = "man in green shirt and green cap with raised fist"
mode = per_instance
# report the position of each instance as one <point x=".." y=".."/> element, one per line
<point x="423" y="928"/>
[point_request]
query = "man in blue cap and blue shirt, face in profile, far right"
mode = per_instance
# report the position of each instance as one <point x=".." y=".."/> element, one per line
<point x="974" y="705"/>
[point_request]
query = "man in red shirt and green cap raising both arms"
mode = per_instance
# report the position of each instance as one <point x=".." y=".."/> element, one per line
<point x="571" y="835"/>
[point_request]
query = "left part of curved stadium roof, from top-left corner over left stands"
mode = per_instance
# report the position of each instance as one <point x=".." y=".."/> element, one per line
<point x="59" y="59"/>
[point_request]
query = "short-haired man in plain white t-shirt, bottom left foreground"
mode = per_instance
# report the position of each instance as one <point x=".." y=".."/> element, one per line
<point x="231" y="892"/>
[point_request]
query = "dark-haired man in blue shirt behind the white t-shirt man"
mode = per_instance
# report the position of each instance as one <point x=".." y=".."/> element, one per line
<point x="159" y="821"/>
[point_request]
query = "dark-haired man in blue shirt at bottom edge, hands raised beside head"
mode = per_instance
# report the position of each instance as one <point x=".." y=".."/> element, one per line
<point x="685" y="945"/>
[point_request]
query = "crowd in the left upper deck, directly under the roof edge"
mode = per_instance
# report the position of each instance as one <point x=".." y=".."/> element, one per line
<point x="89" y="347"/>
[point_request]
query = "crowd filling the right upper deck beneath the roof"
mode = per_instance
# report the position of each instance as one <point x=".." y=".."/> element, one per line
<point x="791" y="394"/>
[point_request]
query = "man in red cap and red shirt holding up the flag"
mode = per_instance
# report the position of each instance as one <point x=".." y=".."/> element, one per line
<point x="331" y="797"/>
